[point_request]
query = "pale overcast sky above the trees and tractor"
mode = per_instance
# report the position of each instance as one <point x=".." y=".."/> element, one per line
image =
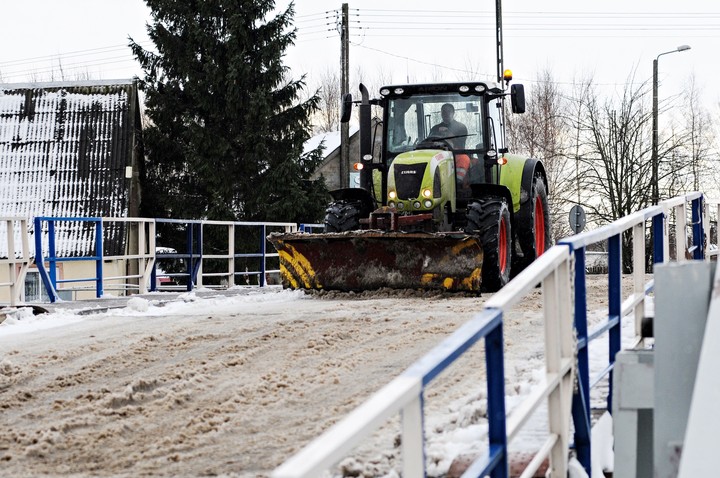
<point x="402" y="39"/>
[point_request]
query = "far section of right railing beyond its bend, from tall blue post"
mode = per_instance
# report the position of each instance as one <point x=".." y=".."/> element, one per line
<point x="619" y="307"/>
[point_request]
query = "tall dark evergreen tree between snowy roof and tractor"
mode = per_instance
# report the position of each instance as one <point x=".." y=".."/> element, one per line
<point x="226" y="132"/>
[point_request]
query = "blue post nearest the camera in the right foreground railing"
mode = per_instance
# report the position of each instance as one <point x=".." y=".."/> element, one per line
<point x="497" y="433"/>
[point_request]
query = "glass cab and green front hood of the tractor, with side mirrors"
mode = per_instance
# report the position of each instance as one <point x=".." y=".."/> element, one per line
<point x="441" y="142"/>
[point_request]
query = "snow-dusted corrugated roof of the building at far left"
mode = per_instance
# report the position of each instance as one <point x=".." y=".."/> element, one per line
<point x="64" y="149"/>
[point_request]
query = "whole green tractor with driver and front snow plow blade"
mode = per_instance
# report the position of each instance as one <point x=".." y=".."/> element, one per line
<point x="443" y="205"/>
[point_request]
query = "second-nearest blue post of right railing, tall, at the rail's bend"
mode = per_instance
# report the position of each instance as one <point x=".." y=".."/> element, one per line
<point x="581" y="397"/>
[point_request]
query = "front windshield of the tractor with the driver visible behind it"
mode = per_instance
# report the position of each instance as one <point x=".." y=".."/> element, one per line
<point x="419" y="117"/>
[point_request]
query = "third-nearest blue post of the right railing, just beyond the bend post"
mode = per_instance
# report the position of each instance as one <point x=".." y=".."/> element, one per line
<point x="614" y="305"/>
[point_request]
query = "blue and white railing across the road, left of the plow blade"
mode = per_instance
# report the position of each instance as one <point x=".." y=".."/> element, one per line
<point x="142" y="254"/>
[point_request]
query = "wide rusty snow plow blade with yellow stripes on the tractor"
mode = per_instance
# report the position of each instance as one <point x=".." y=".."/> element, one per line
<point x="372" y="259"/>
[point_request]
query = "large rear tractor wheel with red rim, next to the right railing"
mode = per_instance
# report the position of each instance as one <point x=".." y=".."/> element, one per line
<point x="533" y="226"/>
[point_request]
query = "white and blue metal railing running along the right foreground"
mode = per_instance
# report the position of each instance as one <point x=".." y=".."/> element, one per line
<point x="552" y="271"/>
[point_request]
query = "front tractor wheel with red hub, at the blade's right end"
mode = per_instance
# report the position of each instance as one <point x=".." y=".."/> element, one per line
<point x="490" y="220"/>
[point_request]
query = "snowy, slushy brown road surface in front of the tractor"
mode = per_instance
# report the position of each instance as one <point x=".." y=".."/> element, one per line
<point x="233" y="384"/>
